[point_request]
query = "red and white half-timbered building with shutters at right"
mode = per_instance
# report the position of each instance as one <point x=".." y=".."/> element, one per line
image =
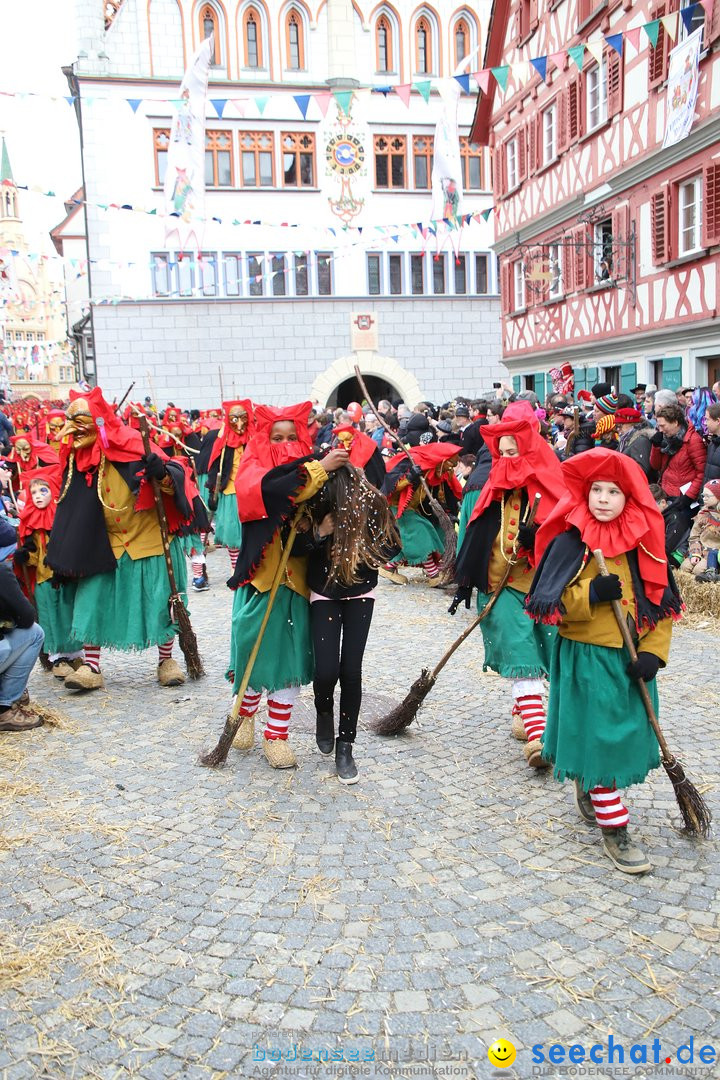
<point x="608" y="242"/>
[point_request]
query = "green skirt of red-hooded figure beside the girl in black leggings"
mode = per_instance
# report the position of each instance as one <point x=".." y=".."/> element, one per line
<point x="287" y="653"/>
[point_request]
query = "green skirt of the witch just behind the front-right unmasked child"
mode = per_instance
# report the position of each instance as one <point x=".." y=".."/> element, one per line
<point x="515" y="646"/>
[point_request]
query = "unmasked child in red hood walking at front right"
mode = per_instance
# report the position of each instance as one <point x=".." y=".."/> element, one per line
<point x="608" y="506"/>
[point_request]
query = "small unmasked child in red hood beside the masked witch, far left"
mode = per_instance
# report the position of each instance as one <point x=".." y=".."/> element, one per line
<point x="42" y="489"/>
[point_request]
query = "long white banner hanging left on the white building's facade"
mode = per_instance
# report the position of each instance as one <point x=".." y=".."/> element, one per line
<point x="185" y="177"/>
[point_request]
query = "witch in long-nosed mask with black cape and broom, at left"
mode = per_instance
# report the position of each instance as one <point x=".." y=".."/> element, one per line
<point x="106" y="545"/>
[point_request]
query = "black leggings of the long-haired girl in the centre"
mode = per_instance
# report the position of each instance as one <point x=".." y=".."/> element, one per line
<point x="330" y="620"/>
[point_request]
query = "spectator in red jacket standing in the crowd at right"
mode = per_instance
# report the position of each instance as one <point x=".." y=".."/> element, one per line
<point x="678" y="454"/>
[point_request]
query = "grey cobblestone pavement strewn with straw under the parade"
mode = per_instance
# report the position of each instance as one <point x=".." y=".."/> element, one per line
<point x="164" y="921"/>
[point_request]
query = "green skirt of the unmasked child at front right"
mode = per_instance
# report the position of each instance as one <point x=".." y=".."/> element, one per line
<point x="597" y="728"/>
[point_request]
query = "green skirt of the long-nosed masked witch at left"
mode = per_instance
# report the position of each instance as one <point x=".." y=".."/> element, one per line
<point x="128" y="610"/>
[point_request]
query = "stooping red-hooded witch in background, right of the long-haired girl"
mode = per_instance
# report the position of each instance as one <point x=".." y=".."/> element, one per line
<point x="422" y="537"/>
